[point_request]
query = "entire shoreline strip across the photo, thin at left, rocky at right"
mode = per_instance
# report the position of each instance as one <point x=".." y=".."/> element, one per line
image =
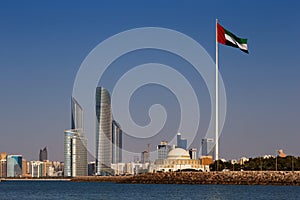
<point x="209" y="178"/>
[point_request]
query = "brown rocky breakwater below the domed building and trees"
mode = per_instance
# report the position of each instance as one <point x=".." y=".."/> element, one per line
<point x="234" y="178"/>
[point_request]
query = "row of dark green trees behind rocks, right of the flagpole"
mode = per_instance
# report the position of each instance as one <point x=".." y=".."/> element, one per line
<point x="288" y="163"/>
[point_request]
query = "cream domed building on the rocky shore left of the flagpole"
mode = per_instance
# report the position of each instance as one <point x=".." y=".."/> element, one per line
<point x="178" y="159"/>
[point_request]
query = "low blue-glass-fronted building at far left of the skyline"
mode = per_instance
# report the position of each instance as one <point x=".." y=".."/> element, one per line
<point x="14" y="166"/>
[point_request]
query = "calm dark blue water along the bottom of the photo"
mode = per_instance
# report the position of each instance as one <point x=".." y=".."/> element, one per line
<point x="82" y="191"/>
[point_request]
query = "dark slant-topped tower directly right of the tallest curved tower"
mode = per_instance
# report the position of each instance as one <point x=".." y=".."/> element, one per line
<point x="116" y="142"/>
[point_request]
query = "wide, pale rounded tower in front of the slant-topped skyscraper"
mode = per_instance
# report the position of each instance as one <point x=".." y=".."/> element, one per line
<point x="75" y="154"/>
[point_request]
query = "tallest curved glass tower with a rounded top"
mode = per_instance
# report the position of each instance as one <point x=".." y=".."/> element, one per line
<point x="103" y="130"/>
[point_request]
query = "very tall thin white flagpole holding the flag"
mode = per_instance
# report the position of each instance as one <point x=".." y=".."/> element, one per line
<point x="217" y="96"/>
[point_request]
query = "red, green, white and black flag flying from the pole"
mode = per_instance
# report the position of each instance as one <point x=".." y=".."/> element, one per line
<point x="227" y="38"/>
